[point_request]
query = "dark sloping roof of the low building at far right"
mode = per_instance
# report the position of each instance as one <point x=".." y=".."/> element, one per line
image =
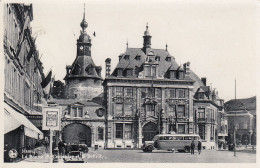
<point x="248" y="104"/>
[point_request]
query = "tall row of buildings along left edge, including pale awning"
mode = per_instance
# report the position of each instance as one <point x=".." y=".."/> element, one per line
<point x="23" y="74"/>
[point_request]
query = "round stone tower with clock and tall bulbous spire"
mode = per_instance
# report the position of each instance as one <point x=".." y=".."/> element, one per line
<point x="83" y="78"/>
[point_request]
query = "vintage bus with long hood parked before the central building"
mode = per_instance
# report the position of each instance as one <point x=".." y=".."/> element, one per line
<point x="171" y="142"/>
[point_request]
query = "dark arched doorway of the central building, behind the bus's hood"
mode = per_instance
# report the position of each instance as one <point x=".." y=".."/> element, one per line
<point x="149" y="131"/>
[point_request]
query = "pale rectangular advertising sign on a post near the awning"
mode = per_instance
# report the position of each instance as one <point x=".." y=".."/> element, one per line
<point x="51" y="118"/>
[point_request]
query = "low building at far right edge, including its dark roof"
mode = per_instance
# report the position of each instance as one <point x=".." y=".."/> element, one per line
<point x="241" y="115"/>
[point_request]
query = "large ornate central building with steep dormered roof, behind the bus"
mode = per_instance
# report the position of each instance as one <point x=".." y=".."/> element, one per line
<point x="149" y="93"/>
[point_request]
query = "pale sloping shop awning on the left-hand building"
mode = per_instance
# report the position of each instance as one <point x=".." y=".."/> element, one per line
<point x="13" y="119"/>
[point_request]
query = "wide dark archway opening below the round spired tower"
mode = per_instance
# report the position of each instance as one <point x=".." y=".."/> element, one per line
<point x="77" y="133"/>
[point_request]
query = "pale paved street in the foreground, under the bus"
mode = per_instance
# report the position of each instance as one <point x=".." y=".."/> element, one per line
<point x="138" y="156"/>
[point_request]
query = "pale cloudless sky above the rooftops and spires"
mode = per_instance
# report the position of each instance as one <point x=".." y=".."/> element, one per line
<point x="217" y="37"/>
